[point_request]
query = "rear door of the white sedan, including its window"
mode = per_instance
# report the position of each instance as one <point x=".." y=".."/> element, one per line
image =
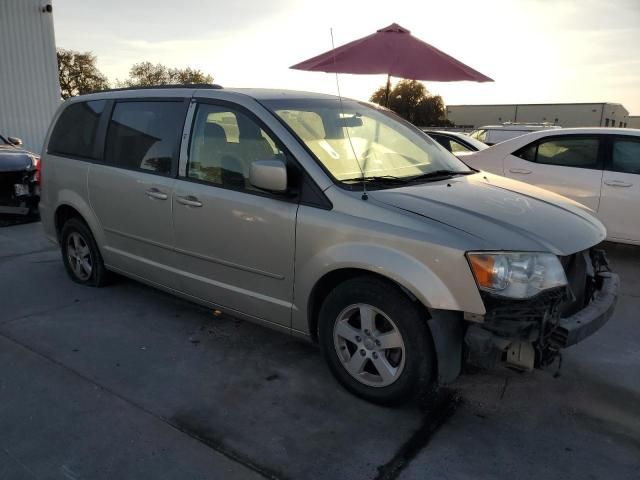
<point x="570" y="165"/>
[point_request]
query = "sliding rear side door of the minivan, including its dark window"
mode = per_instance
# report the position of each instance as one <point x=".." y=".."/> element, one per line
<point x="131" y="192"/>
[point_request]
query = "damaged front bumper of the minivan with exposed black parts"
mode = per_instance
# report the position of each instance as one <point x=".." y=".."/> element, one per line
<point x="530" y="333"/>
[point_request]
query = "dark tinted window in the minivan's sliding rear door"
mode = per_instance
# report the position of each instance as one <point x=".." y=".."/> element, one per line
<point x="145" y="135"/>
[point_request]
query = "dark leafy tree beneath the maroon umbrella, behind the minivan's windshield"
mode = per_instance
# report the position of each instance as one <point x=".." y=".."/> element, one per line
<point x="411" y="100"/>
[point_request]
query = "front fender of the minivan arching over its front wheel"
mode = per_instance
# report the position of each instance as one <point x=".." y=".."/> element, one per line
<point x="408" y="272"/>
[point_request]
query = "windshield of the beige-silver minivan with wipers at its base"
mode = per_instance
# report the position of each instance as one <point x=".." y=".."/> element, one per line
<point x="356" y="140"/>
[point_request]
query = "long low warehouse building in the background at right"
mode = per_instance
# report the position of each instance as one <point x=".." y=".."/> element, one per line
<point x="562" y="114"/>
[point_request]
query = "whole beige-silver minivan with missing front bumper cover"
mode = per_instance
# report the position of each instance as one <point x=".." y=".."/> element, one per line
<point x="331" y="220"/>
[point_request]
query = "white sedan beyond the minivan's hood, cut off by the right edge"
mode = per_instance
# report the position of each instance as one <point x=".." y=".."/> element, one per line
<point x="598" y="167"/>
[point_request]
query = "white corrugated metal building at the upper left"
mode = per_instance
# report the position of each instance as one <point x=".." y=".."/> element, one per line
<point x="29" y="87"/>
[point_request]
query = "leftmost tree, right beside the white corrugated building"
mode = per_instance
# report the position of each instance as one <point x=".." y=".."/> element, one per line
<point x="78" y="73"/>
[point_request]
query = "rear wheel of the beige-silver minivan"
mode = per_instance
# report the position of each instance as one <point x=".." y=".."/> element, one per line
<point x="80" y="254"/>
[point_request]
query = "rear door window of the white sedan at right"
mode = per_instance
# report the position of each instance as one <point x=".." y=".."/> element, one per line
<point x="569" y="152"/>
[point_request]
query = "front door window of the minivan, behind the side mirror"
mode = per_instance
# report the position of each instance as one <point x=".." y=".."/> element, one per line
<point x="224" y="144"/>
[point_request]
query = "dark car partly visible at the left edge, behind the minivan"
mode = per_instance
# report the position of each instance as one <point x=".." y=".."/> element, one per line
<point x="19" y="178"/>
